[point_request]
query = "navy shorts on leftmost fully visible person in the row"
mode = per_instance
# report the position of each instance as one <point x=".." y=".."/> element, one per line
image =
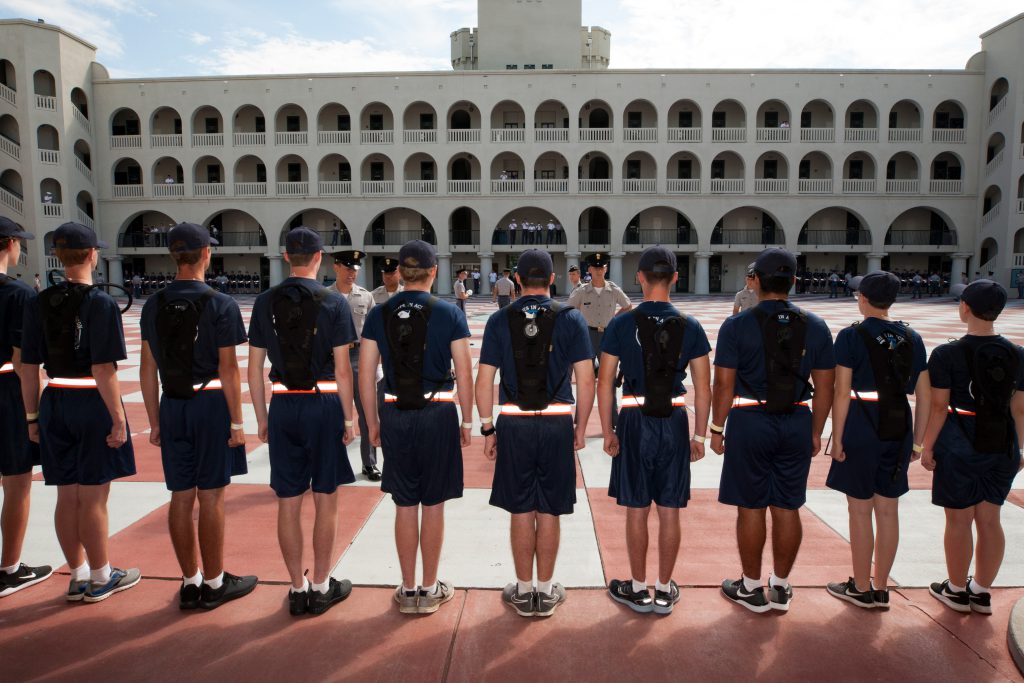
<point x="74" y="425"/>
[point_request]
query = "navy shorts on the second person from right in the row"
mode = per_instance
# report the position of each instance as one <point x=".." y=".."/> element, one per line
<point x="872" y="467"/>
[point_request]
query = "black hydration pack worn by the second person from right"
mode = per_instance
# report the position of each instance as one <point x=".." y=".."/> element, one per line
<point x="891" y="356"/>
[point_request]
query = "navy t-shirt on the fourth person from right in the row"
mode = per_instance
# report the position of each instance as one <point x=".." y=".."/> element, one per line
<point x="622" y="340"/>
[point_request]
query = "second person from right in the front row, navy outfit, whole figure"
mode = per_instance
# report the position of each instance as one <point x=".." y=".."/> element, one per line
<point x="880" y="362"/>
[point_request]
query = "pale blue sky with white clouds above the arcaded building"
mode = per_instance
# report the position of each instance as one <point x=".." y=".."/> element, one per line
<point x="231" y="37"/>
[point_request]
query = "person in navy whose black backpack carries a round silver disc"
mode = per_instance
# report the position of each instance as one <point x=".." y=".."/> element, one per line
<point x="538" y="345"/>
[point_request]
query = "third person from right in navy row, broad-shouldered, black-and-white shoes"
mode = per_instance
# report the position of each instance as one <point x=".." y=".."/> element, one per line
<point x="762" y="364"/>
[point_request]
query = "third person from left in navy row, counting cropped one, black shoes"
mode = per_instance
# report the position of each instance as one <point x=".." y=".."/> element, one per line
<point x="189" y="336"/>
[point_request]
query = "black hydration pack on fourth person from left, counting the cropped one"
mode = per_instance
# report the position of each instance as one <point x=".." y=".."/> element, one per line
<point x="294" y="310"/>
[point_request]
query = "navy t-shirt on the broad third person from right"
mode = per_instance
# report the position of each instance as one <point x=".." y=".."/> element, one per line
<point x="741" y="347"/>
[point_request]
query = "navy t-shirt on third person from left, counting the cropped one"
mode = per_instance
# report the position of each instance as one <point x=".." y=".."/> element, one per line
<point x="221" y="326"/>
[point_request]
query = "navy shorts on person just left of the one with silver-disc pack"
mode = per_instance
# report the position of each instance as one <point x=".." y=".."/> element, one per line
<point x="422" y="454"/>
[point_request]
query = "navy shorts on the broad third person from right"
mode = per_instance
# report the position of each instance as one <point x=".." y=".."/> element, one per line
<point x="767" y="459"/>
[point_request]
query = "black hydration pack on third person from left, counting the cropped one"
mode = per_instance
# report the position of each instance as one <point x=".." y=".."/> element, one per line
<point x="178" y="330"/>
